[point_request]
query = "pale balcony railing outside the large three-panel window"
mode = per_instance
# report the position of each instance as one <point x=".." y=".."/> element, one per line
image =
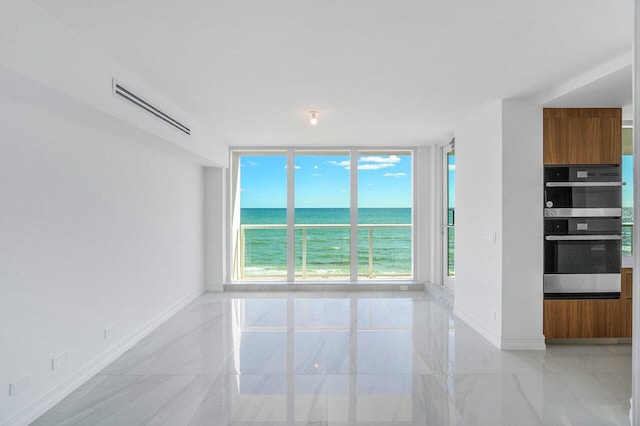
<point x="304" y="272"/>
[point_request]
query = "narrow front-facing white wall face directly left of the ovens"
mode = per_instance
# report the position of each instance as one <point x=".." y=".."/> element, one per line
<point x="522" y="226"/>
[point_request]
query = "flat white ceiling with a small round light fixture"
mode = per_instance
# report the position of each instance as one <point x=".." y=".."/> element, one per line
<point x="381" y="72"/>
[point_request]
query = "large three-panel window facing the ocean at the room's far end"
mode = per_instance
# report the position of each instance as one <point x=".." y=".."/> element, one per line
<point x="352" y="215"/>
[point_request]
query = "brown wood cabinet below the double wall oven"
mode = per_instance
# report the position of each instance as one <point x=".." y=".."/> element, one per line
<point x="589" y="318"/>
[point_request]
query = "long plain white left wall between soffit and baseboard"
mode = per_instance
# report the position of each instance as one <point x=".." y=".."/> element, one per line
<point x="96" y="231"/>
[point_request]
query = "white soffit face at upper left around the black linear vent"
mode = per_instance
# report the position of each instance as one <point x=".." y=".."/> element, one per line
<point x="44" y="61"/>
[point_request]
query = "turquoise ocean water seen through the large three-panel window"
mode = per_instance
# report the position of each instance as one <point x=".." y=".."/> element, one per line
<point x="324" y="251"/>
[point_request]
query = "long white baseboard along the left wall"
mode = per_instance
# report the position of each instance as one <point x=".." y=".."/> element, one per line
<point x="62" y="390"/>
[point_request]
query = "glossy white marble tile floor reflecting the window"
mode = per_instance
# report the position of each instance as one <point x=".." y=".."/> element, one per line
<point x="344" y="359"/>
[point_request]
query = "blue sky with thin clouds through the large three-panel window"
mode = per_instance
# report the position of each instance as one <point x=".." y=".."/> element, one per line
<point x="323" y="181"/>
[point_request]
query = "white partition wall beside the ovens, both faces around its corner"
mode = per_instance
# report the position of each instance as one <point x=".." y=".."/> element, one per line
<point x="499" y="228"/>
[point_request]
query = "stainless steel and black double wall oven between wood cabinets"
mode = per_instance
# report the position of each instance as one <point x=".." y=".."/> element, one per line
<point x="583" y="231"/>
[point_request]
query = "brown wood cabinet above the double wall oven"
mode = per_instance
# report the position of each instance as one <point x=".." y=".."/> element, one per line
<point x="582" y="135"/>
